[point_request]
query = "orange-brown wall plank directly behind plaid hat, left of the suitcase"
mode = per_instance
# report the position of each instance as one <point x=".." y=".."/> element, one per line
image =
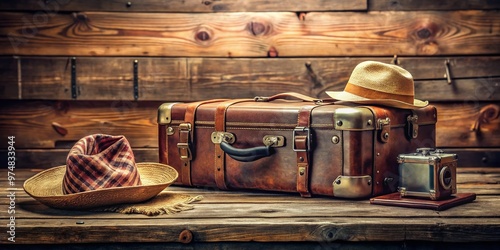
<point x="33" y="123"/>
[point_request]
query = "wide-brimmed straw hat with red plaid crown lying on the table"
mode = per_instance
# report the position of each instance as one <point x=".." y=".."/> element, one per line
<point x="100" y="171"/>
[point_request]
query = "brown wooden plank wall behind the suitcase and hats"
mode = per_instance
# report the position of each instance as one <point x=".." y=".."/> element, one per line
<point x="192" y="50"/>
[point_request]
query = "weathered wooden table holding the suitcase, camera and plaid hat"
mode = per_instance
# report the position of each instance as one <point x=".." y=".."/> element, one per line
<point x="262" y="220"/>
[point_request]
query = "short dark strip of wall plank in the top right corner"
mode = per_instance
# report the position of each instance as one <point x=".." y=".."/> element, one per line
<point x="398" y="5"/>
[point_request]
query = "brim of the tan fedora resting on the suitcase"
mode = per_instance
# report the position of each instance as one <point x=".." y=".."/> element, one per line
<point x="343" y="96"/>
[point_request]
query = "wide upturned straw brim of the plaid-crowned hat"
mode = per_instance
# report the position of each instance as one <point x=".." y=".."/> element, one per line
<point x="46" y="187"/>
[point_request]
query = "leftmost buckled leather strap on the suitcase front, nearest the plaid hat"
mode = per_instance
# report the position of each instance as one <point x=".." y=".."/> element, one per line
<point x="186" y="139"/>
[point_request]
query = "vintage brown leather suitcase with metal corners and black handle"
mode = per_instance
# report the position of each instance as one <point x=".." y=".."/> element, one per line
<point x="291" y="143"/>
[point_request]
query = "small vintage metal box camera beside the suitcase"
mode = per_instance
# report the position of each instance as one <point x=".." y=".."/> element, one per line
<point x="427" y="173"/>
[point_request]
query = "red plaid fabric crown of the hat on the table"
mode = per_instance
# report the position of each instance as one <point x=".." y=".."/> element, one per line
<point x="100" y="161"/>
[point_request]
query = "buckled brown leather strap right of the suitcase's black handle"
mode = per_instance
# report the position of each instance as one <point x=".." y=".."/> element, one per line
<point x="302" y="146"/>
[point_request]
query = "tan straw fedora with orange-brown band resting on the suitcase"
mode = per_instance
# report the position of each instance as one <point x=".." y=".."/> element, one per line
<point x="380" y="84"/>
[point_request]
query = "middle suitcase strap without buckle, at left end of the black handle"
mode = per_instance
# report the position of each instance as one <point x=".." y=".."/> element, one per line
<point x="220" y="126"/>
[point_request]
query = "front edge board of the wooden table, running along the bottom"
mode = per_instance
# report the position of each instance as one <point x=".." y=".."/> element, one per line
<point x="269" y="230"/>
